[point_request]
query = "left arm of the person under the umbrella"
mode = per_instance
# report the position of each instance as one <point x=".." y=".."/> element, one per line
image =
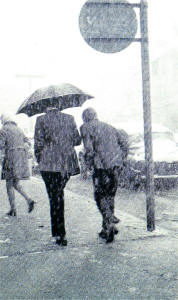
<point x="38" y="140"/>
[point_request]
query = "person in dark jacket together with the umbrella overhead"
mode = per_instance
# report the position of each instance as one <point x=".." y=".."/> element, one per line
<point x="55" y="137"/>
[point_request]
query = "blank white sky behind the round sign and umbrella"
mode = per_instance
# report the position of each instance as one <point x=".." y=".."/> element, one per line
<point x="42" y="37"/>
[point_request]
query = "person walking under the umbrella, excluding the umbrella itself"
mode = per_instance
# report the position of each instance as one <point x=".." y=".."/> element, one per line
<point x="56" y="135"/>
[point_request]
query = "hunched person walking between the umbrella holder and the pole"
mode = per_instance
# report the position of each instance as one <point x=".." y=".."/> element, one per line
<point x="106" y="150"/>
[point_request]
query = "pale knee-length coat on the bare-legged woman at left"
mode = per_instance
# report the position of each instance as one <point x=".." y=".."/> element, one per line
<point x="13" y="142"/>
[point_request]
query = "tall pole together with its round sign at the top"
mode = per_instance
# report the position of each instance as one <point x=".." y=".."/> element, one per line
<point x="110" y="26"/>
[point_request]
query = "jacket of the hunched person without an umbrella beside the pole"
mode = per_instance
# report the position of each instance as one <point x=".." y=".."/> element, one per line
<point x="105" y="146"/>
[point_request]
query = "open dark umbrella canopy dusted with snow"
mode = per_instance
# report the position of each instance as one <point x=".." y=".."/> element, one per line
<point x="62" y="96"/>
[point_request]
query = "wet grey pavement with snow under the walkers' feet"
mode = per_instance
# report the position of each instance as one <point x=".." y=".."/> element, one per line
<point x="137" y="265"/>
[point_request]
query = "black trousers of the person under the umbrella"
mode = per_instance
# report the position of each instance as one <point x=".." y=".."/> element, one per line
<point x="55" y="184"/>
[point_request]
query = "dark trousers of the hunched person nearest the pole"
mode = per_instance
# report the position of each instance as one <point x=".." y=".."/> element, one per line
<point x="105" y="183"/>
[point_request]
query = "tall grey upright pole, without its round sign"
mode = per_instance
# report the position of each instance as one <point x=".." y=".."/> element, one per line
<point x="150" y="205"/>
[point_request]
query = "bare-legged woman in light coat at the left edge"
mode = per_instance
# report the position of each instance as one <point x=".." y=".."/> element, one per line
<point x="15" y="163"/>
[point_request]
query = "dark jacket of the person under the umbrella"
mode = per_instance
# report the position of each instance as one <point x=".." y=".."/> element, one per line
<point x="56" y="135"/>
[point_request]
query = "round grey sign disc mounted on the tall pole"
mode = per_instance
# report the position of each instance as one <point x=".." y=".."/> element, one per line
<point x="108" y="26"/>
